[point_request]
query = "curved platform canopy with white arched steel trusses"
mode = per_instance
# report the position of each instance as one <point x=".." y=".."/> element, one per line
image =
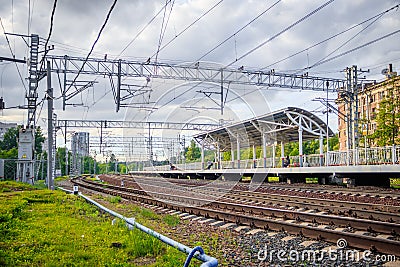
<point x="284" y="125"/>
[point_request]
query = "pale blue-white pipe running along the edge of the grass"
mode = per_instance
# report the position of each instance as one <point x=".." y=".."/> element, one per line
<point x="196" y="252"/>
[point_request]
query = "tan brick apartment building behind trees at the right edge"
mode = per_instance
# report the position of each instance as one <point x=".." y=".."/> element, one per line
<point x="369" y="98"/>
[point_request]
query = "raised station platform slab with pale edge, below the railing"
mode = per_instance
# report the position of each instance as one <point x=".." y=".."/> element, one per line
<point x="378" y="175"/>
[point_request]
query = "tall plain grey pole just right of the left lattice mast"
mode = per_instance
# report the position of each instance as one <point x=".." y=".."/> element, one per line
<point x="50" y="182"/>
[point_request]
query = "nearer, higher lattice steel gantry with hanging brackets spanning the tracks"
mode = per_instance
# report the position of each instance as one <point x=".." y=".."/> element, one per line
<point x="117" y="70"/>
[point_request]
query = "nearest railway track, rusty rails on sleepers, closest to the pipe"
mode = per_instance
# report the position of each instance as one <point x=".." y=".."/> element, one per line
<point x="319" y="226"/>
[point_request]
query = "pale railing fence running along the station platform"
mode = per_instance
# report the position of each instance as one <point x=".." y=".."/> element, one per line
<point x="358" y="156"/>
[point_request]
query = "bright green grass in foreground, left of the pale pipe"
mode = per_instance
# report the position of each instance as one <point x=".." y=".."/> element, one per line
<point x="51" y="228"/>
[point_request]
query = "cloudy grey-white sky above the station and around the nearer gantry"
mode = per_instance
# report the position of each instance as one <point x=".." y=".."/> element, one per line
<point x="199" y="30"/>
